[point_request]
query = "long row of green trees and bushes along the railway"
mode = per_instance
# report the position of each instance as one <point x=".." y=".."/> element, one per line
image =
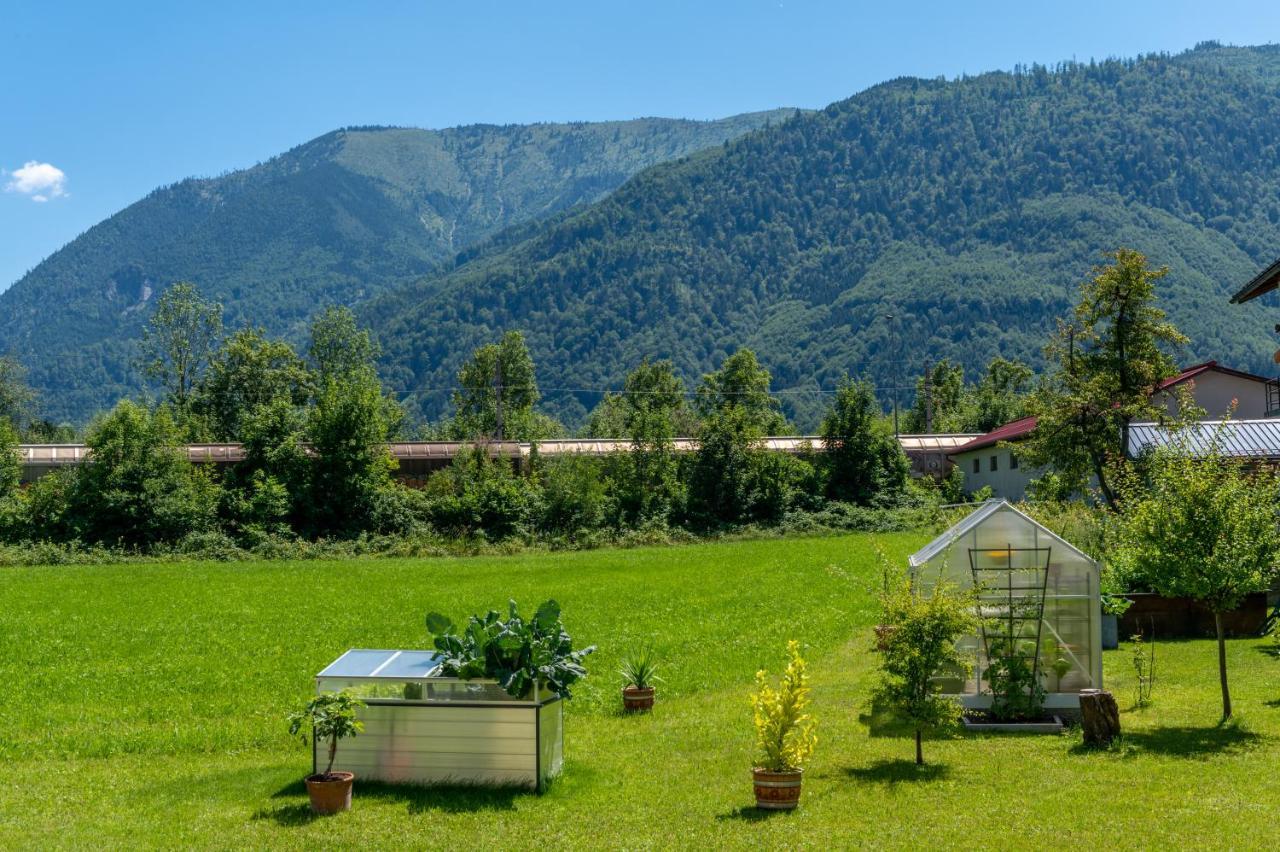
<point x="314" y="428"/>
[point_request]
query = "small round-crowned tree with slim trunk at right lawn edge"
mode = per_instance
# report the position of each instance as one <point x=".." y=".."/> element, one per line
<point x="1203" y="528"/>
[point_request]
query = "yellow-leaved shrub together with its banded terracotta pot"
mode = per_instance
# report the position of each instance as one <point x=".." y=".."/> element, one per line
<point x="785" y="735"/>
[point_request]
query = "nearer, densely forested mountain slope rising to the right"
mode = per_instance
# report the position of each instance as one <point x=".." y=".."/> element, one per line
<point x="968" y="209"/>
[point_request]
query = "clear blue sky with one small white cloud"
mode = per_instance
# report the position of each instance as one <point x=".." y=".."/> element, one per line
<point x="108" y="100"/>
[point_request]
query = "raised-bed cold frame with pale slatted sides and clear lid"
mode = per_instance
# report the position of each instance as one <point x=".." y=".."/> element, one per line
<point x="429" y="730"/>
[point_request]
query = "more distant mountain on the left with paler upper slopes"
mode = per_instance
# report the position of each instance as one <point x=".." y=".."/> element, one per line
<point x="335" y="221"/>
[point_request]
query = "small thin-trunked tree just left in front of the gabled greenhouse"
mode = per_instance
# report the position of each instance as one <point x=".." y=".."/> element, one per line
<point x="922" y="644"/>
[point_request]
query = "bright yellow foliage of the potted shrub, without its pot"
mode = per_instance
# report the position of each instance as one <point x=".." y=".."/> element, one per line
<point x="785" y="734"/>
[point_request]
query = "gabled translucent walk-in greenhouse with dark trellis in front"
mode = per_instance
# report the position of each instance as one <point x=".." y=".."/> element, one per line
<point x="1039" y="599"/>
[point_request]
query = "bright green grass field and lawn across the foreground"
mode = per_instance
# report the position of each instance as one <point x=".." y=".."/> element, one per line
<point x="143" y="707"/>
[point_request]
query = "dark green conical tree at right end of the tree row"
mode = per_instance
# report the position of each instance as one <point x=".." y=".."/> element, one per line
<point x="863" y="459"/>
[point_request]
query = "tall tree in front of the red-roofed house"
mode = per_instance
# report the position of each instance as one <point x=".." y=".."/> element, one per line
<point x="1107" y="363"/>
